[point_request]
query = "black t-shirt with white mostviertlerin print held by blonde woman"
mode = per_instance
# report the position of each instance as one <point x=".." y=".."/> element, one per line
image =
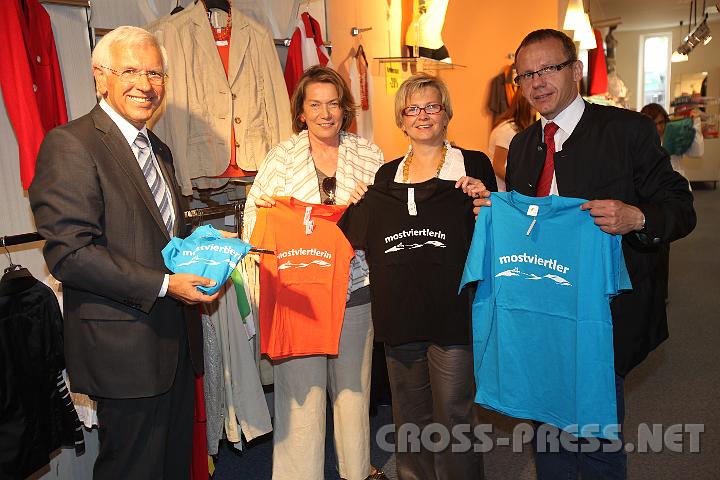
<point x="416" y="261"/>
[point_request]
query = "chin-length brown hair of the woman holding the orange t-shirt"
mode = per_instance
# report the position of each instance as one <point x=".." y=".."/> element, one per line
<point x="318" y="74"/>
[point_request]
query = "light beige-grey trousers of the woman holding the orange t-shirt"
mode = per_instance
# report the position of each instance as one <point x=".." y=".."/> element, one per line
<point x="300" y="401"/>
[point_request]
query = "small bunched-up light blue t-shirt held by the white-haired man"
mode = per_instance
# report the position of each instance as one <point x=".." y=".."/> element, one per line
<point x="206" y="253"/>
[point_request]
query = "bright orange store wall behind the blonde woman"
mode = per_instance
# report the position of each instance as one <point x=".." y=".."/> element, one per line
<point x="479" y="36"/>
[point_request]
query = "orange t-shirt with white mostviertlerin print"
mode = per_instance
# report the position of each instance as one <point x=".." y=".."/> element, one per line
<point x="303" y="286"/>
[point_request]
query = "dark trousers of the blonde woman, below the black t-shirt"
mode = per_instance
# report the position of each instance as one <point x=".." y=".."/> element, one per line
<point x="433" y="384"/>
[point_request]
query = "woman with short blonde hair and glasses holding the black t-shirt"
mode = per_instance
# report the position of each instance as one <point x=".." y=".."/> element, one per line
<point x="433" y="382"/>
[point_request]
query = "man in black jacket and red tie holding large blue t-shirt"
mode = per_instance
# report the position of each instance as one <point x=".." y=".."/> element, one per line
<point x="612" y="157"/>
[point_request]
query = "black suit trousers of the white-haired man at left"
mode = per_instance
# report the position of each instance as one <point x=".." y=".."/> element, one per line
<point x="148" y="438"/>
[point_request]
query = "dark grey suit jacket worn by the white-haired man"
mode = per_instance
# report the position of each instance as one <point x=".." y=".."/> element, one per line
<point x="104" y="235"/>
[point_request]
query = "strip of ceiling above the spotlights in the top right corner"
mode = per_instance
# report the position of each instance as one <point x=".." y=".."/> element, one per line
<point x="647" y="14"/>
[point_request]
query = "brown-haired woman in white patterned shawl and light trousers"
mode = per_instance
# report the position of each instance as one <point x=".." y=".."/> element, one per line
<point x="322" y="163"/>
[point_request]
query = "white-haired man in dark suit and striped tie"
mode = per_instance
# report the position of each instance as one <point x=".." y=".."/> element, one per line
<point x="106" y="200"/>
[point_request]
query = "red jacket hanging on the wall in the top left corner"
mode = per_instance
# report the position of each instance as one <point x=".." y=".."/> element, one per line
<point x="30" y="79"/>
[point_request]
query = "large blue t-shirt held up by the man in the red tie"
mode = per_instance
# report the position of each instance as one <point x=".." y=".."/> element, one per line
<point x="542" y="327"/>
